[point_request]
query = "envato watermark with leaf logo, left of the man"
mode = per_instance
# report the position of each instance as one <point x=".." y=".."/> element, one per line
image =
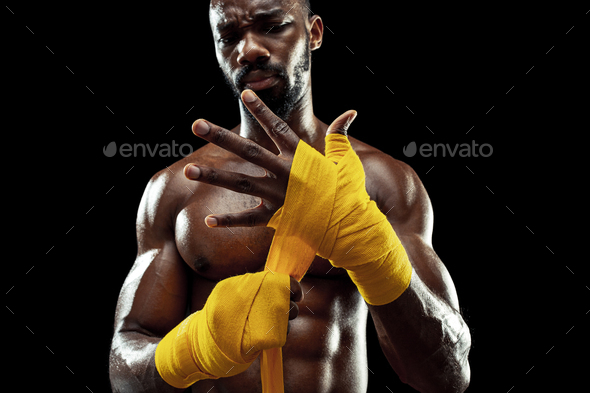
<point x="144" y="150"/>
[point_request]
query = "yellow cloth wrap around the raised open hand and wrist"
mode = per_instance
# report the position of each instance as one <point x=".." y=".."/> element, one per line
<point x="327" y="210"/>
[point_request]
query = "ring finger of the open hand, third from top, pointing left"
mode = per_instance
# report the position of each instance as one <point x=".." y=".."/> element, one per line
<point x="256" y="186"/>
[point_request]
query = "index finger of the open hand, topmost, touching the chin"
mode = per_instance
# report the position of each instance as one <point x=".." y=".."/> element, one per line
<point x="282" y="135"/>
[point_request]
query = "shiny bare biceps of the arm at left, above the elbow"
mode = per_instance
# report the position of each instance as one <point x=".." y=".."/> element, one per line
<point x="153" y="298"/>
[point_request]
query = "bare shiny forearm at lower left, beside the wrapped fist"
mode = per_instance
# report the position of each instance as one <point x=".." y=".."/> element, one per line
<point x="132" y="367"/>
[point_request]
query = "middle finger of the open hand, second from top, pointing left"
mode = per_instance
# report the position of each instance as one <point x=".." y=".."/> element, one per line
<point x="242" y="147"/>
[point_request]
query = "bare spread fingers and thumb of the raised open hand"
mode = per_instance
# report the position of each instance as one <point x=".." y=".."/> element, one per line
<point x="272" y="187"/>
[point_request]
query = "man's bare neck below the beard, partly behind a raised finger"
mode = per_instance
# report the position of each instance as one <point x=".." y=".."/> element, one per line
<point x="302" y="121"/>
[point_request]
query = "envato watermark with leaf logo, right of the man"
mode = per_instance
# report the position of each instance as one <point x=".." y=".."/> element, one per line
<point x="444" y="150"/>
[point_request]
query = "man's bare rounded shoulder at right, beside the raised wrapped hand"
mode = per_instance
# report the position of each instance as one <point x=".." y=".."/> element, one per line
<point x="397" y="190"/>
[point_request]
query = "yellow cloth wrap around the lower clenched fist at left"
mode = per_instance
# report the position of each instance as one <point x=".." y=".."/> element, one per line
<point x="242" y="316"/>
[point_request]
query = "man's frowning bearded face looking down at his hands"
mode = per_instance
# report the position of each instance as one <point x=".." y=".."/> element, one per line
<point x="259" y="39"/>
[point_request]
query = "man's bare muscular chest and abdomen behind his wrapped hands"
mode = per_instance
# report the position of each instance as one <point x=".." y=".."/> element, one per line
<point x="326" y="346"/>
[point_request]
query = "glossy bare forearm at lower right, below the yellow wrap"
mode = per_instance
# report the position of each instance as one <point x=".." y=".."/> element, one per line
<point x="430" y="338"/>
